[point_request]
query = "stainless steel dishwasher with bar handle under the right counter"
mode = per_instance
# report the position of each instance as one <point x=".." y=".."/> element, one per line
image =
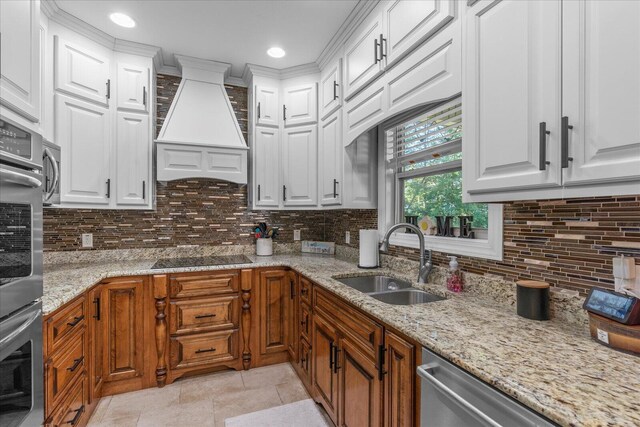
<point x="451" y="397"/>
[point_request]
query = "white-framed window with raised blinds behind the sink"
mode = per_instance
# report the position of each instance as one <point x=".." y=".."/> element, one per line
<point x="423" y="159"/>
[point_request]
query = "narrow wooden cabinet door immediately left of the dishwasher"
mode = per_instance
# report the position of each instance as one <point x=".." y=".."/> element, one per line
<point x="399" y="382"/>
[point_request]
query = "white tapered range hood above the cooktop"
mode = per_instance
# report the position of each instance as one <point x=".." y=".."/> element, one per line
<point x="200" y="137"/>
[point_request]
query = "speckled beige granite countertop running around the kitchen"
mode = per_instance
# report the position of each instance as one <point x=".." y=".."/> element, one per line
<point x="552" y="367"/>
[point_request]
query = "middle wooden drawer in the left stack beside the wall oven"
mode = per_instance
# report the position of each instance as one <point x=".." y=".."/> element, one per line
<point x="64" y="366"/>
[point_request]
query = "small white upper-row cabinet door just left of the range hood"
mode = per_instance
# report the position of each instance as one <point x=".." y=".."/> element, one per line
<point x="133" y="87"/>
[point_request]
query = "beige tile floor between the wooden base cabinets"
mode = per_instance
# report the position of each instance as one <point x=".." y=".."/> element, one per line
<point x="202" y="401"/>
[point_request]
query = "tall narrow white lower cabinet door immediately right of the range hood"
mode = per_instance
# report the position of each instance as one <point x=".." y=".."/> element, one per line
<point x="267" y="167"/>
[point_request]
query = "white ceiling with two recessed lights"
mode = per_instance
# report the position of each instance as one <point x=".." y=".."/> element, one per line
<point x="237" y="32"/>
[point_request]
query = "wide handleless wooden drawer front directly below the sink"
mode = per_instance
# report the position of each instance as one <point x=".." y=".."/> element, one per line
<point x="362" y="329"/>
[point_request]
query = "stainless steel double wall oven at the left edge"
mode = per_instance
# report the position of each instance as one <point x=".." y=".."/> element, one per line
<point x="21" y="364"/>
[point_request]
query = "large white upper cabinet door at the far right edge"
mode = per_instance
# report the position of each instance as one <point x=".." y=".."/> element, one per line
<point x="601" y="91"/>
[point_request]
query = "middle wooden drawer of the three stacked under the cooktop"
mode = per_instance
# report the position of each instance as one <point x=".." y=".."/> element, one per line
<point x="203" y="314"/>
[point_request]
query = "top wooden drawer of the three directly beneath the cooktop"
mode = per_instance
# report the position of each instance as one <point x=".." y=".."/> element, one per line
<point x="203" y="284"/>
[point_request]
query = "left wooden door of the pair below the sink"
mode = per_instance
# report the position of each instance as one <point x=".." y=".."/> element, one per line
<point x="325" y="380"/>
